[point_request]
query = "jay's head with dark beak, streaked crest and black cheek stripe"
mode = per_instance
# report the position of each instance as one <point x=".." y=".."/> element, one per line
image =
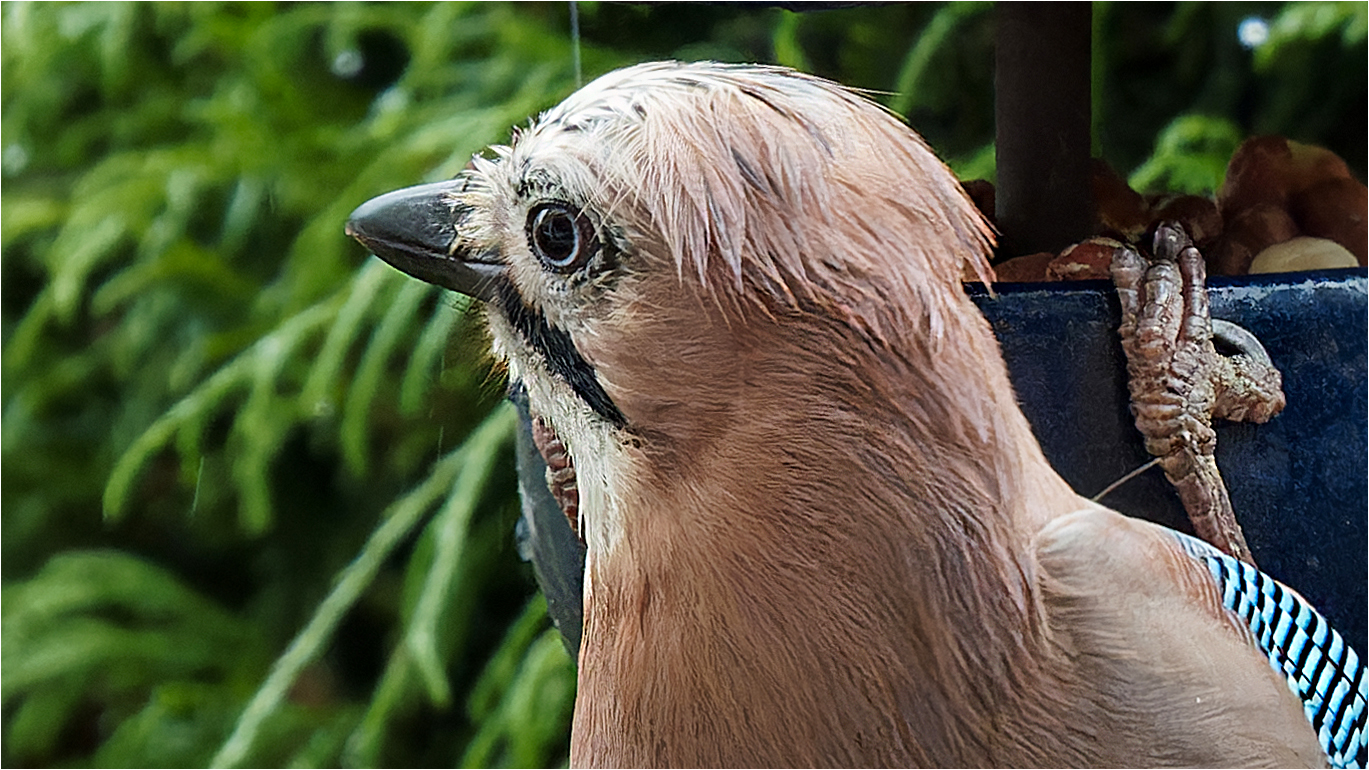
<point x="647" y="247"/>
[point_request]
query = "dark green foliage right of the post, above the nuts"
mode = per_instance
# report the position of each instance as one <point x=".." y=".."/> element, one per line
<point x="1185" y="80"/>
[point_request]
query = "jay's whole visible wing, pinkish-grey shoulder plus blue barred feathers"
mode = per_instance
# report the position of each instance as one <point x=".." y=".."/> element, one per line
<point x="1159" y="619"/>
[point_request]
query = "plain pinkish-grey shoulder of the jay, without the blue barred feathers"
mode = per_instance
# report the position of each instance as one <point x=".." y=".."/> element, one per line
<point x="1168" y="673"/>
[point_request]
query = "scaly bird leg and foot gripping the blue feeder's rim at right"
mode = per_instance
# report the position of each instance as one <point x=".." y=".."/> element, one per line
<point x="1179" y="382"/>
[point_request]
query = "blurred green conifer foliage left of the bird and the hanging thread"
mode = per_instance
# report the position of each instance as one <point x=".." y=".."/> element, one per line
<point x="194" y="349"/>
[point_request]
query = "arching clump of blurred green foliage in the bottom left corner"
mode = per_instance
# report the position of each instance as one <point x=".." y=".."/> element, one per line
<point x="114" y="624"/>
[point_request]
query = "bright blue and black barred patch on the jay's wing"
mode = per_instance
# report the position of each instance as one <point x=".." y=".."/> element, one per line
<point x="1320" y="668"/>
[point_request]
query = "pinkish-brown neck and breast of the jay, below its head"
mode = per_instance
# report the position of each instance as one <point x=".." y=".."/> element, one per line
<point x="830" y="573"/>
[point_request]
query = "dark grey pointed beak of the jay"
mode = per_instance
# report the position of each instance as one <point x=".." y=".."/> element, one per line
<point x="415" y="229"/>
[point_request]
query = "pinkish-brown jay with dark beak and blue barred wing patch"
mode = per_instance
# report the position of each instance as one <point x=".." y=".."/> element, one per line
<point x="818" y="528"/>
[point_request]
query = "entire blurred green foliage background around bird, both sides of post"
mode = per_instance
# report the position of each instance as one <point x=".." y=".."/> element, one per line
<point x="258" y="488"/>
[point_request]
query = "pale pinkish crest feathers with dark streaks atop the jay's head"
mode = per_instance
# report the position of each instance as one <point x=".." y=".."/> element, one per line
<point x="786" y="188"/>
